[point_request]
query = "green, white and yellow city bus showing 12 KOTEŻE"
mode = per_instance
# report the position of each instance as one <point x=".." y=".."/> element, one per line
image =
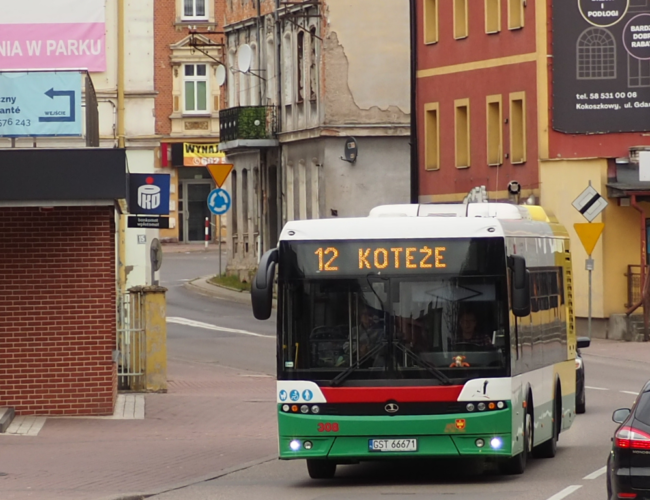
<point x="375" y="358"/>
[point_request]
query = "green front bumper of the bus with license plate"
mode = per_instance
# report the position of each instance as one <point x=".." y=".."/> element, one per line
<point x="351" y="438"/>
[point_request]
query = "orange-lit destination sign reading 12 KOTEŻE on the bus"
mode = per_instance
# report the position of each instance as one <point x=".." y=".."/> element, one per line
<point x="347" y="258"/>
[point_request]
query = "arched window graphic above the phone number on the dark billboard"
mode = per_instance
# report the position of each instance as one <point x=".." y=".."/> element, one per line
<point x="596" y="53"/>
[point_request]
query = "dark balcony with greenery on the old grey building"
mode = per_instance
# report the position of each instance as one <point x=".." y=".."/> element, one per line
<point x="247" y="126"/>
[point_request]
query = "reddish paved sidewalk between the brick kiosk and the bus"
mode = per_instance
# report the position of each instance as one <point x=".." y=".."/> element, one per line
<point x="211" y="421"/>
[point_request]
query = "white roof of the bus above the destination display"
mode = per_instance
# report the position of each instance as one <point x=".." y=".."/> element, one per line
<point x="471" y="220"/>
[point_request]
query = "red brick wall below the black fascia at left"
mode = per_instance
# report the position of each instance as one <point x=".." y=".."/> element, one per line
<point x="57" y="310"/>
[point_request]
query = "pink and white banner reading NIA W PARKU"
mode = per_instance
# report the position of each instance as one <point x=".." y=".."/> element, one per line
<point x="53" y="34"/>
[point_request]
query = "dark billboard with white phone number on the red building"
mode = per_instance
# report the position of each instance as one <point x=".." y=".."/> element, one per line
<point x="601" y="66"/>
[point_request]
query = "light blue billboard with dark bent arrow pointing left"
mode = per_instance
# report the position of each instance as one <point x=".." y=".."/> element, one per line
<point x="40" y="104"/>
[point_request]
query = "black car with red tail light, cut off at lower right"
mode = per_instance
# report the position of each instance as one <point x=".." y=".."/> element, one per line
<point x="628" y="465"/>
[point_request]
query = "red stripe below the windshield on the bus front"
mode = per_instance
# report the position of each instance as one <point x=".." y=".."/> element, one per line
<point x="383" y="394"/>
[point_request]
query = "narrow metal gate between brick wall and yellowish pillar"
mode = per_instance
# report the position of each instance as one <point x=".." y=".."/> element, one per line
<point x="130" y="343"/>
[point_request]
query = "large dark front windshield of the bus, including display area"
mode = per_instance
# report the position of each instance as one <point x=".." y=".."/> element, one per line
<point x="392" y="325"/>
